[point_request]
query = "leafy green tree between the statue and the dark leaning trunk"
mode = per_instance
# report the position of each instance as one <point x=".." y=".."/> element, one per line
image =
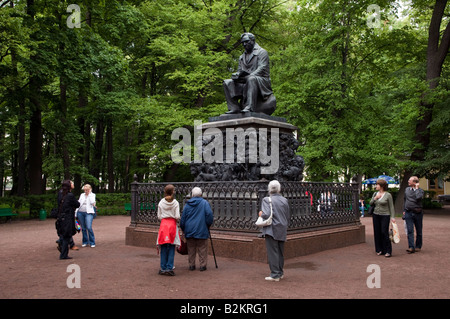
<point x="326" y="80"/>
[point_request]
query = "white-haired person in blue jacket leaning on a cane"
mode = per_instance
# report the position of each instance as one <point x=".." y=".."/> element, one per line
<point x="195" y="221"/>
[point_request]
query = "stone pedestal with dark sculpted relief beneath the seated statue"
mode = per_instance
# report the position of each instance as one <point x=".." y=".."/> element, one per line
<point x="247" y="147"/>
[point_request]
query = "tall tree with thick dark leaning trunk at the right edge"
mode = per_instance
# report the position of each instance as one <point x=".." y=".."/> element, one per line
<point x="424" y="159"/>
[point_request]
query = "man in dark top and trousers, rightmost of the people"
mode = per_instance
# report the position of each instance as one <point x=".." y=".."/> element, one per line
<point x="413" y="214"/>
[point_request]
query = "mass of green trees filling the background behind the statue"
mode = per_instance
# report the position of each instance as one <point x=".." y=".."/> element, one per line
<point x="367" y="86"/>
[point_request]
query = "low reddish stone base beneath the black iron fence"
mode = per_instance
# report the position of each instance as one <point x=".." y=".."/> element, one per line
<point x="249" y="247"/>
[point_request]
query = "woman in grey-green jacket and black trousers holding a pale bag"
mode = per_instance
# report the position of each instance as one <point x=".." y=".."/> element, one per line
<point x="383" y="214"/>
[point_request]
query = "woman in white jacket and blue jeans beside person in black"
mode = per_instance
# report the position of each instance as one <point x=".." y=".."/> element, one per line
<point x="85" y="215"/>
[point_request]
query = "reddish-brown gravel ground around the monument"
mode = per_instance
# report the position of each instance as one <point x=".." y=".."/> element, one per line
<point x="30" y="268"/>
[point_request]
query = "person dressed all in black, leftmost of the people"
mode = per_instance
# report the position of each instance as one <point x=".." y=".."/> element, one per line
<point x="65" y="222"/>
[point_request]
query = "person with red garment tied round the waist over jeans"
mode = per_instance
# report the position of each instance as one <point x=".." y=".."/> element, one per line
<point x="168" y="236"/>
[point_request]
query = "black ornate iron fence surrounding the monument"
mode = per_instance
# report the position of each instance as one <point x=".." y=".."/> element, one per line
<point x="236" y="204"/>
